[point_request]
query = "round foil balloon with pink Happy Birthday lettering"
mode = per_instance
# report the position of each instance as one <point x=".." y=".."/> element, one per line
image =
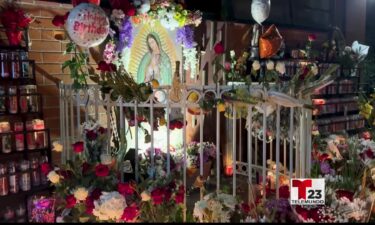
<point x="87" y="25"/>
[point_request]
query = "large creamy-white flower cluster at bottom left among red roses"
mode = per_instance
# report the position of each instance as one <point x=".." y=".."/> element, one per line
<point x="110" y="206"/>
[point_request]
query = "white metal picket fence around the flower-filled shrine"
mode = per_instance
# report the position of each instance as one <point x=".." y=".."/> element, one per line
<point x="293" y="148"/>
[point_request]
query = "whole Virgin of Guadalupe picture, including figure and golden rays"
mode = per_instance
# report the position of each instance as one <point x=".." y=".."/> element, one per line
<point x="153" y="53"/>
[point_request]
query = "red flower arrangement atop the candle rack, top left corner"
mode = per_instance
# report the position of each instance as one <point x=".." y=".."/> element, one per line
<point x="14" y="21"/>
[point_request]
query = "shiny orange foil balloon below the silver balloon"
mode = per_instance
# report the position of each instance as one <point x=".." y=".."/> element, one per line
<point x="270" y="42"/>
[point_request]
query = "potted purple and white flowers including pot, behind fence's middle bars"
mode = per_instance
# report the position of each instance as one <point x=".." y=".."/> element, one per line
<point x="193" y="157"/>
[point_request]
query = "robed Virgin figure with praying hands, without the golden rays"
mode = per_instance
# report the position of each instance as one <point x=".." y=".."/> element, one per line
<point x="155" y="64"/>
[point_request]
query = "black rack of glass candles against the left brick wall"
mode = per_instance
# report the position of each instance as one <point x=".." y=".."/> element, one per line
<point x="22" y="135"/>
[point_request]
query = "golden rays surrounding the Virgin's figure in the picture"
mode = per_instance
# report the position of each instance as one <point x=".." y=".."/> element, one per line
<point x="139" y="47"/>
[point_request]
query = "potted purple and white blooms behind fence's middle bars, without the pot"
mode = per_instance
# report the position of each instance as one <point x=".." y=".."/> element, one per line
<point x="193" y="153"/>
